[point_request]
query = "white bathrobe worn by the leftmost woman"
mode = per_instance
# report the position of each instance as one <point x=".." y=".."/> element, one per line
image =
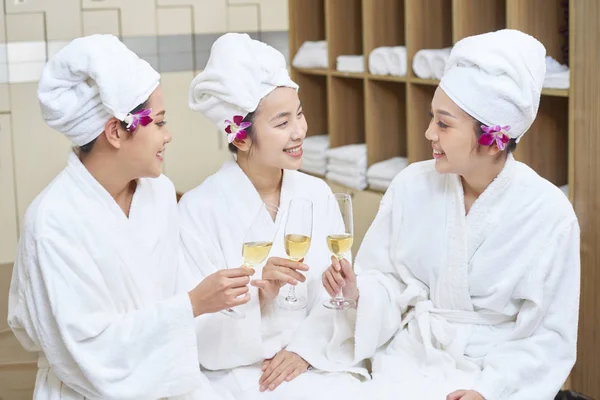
<point x="95" y="294"/>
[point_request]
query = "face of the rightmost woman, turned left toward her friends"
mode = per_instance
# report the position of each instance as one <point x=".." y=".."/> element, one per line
<point x="453" y="139"/>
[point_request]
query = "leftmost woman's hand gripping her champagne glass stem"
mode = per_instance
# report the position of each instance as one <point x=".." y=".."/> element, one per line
<point x="221" y="290"/>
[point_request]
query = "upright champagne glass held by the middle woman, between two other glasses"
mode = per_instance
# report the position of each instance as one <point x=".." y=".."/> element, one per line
<point x="297" y="237"/>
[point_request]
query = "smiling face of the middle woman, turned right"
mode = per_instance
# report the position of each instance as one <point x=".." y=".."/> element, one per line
<point x="278" y="129"/>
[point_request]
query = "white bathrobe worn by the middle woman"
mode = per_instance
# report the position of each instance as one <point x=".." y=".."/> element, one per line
<point x="214" y="220"/>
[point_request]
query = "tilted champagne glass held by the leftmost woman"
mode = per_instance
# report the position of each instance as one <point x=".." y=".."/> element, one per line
<point x="257" y="244"/>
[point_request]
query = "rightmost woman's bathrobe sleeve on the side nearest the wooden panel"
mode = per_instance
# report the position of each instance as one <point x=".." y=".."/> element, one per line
<point x="537" y="360"/>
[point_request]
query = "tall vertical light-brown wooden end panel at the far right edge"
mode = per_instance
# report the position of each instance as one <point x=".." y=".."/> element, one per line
<point x="585" y="124"/>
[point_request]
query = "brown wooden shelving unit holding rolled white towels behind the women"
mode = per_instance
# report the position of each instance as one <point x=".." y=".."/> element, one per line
<point x="390" y="114"/>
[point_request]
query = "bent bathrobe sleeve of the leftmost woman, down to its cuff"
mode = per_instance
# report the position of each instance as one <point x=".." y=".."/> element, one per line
<point x="61" y="304"/>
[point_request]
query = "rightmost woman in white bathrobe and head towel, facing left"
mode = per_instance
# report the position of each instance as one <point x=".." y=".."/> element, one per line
<point x="467" y="281"/>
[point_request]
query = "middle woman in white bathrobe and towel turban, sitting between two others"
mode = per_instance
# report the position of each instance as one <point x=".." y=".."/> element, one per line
<point x="248" y="80"/>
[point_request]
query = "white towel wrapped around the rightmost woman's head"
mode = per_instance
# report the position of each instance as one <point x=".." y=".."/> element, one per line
<point x="497" y="78"/>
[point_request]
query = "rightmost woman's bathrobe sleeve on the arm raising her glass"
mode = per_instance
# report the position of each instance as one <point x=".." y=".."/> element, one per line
<point x="340" y="341"/>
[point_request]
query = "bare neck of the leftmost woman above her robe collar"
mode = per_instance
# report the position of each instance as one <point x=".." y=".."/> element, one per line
<point x="111" y="177"/>
